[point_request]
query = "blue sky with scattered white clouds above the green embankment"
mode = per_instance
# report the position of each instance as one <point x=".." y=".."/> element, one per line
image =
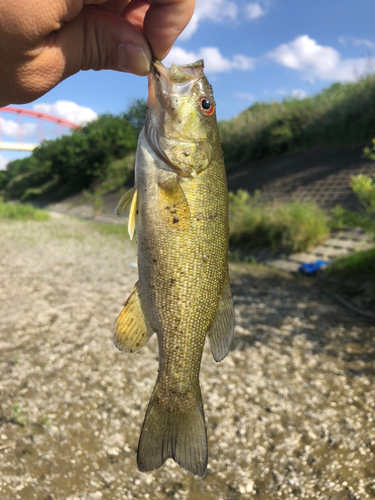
<point x="253" y="50"/>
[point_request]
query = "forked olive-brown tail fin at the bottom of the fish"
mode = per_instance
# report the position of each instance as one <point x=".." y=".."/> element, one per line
<point x="176" y="434"/>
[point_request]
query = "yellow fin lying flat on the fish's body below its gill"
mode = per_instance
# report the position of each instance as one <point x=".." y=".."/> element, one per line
<point x="173" y="205"/>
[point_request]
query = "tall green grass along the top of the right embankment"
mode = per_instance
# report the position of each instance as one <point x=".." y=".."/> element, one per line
<point x="340" y="115"/>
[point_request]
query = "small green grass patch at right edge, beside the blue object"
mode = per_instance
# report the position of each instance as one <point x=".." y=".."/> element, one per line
<point x="357" y="265"/>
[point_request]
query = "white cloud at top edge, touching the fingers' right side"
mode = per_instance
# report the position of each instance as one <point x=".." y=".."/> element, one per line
<point x="218" y="11"/>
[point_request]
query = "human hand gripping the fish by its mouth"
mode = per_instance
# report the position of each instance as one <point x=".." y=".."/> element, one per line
<point x="42" y="42"/>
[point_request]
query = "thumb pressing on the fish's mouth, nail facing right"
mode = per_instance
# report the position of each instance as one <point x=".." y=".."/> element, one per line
<point x="99" y="40"/>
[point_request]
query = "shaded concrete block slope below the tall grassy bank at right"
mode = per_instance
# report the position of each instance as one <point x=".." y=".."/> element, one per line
<point x="321" y="175"/>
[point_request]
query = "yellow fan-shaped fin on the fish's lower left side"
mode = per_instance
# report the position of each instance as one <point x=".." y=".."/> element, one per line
<point x="132" y="329"/>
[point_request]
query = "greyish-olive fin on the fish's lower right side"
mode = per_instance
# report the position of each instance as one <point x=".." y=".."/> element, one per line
<point x="221" y="332"/>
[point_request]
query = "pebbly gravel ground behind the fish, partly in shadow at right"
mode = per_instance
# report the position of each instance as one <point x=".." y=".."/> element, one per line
<point x="290" y="411"/>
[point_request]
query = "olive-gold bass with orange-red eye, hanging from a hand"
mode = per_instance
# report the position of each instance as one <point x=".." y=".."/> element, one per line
<point x="179" y="209"/>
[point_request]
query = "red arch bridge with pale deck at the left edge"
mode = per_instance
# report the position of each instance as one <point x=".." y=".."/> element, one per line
<point x="61" y="123"/>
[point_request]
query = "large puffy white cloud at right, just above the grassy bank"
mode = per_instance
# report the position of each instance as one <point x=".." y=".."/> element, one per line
<point x="317" y="62"/>
